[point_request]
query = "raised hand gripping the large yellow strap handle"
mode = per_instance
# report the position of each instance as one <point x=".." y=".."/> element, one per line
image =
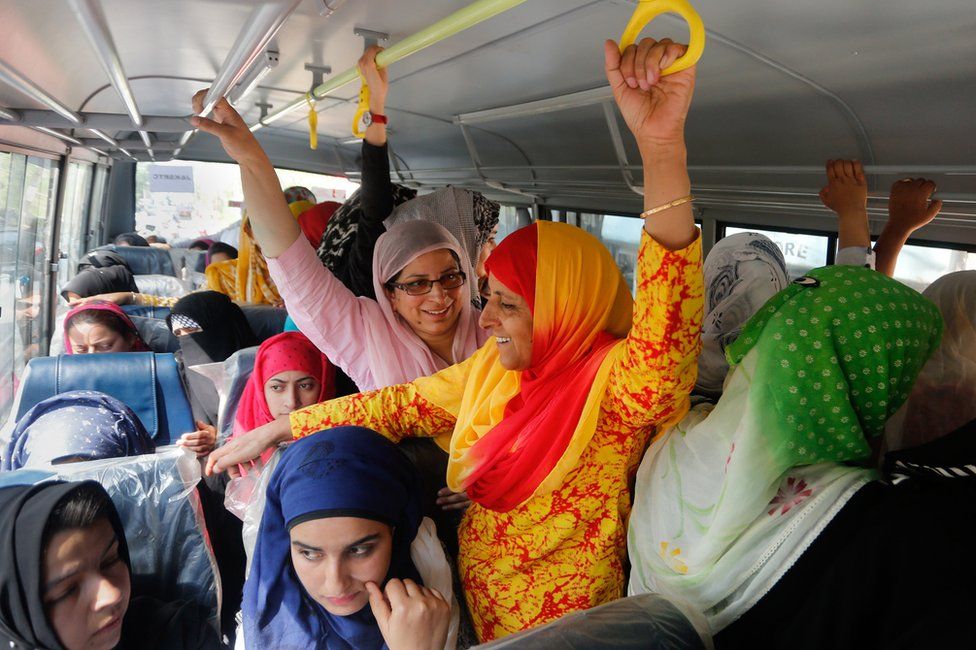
<point x="654" y="107"/>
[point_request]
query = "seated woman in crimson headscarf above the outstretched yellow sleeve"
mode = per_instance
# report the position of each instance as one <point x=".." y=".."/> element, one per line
<point x="289" y="373"/>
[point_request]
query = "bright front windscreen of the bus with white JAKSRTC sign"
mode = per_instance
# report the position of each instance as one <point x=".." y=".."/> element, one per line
<point x="182" y="200"/>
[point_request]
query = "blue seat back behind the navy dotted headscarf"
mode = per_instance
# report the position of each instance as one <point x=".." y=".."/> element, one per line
<point x="149" y="383"/>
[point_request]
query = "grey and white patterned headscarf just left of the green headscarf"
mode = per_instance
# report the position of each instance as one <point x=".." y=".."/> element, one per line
<point x="742" y="272"/>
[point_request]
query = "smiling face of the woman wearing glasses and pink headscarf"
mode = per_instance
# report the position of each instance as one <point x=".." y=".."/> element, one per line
<point x="435" y="313"/>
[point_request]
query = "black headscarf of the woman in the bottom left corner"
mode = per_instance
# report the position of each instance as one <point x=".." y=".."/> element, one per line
<point x="24" y="511"/>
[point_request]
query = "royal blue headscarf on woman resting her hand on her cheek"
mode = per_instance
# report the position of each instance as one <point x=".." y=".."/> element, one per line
<point x="342" y="472"/>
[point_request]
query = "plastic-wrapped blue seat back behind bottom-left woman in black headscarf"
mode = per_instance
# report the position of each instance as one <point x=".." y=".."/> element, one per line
<point x="155" y="495"/>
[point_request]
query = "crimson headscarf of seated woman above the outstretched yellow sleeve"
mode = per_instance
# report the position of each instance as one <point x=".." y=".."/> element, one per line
<point x="280" y="353"/>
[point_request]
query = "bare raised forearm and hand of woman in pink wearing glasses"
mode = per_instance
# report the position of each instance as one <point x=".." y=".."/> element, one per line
<point x="275" y="229"/>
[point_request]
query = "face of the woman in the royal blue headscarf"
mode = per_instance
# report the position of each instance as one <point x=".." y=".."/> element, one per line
<point x="335" y="557"/>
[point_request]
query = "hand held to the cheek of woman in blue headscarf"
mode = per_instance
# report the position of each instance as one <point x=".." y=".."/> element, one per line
<point x="410" y="616"/>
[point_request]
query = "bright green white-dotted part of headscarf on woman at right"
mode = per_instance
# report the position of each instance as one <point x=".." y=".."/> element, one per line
<point x="838" y="353"/>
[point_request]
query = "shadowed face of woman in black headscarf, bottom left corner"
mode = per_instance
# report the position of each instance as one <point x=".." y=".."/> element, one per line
<point x="85" y="586"/>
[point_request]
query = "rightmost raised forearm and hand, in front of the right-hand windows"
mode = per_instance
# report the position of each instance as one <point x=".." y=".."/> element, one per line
<point x="910" y="206"/>
